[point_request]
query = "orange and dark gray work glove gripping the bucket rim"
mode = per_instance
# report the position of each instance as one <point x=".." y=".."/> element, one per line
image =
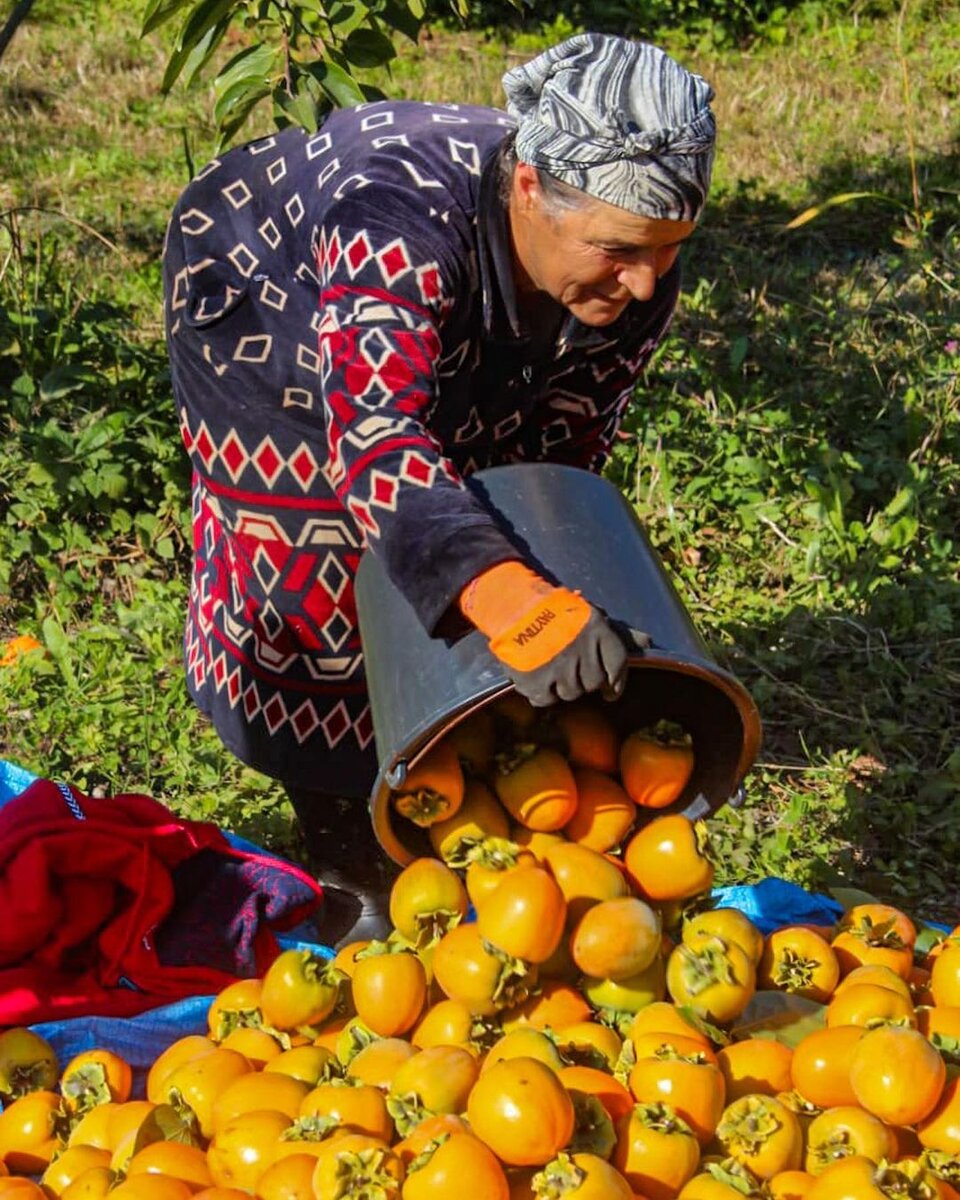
<point x="554" y="644"/>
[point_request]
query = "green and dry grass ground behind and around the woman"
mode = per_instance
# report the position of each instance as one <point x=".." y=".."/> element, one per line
<point x="794" y="454"/>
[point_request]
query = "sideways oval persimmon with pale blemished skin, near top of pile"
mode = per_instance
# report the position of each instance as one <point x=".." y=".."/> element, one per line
<point x="616" y="939"/>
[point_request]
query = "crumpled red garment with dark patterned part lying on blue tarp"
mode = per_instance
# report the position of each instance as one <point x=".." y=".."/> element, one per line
<point x="101" y="910"/>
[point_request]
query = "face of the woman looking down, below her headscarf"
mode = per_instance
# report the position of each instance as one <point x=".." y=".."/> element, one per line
<point x="592" y="260"/>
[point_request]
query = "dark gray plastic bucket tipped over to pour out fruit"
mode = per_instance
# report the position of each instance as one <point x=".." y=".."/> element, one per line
<point x="583" y="532"/>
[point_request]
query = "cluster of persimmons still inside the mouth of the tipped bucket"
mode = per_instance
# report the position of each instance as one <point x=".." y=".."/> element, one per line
<point x="563" y="771"/>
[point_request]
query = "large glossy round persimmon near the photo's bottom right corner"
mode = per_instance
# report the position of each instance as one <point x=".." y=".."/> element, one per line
<point x="897" y="1075"/>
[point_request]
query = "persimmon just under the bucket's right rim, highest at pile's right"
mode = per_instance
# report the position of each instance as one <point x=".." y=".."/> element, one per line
<point x="668" y="860"/>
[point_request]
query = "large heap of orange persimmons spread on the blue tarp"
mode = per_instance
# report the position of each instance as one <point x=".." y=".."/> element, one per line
<point x="590" y="1035"/>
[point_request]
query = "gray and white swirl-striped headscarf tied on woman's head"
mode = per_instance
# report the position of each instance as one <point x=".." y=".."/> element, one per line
<point x="620" y="121"/>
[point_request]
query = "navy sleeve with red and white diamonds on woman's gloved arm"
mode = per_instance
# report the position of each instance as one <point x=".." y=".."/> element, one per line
<point x="385" y="297"/>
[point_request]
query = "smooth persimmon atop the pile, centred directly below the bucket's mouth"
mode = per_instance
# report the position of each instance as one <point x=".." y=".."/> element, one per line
<point x="525" y="917"/>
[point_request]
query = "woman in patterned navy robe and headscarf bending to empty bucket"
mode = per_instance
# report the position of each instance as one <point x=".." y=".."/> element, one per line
<point x="361" y="319"/>
